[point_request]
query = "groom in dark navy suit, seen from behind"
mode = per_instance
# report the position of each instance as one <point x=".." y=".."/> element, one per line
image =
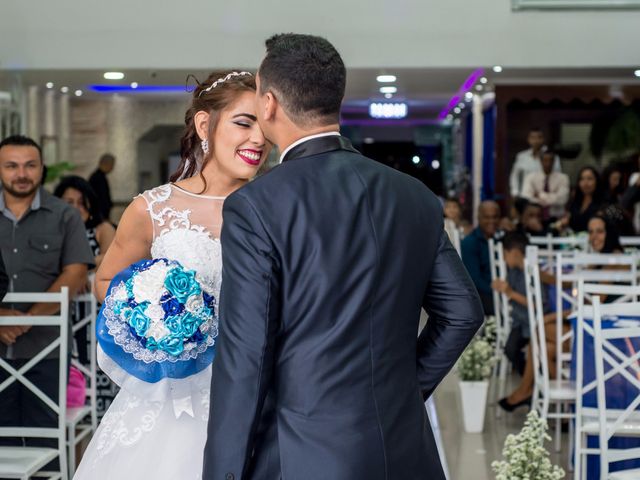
<point x="328" y="260"/>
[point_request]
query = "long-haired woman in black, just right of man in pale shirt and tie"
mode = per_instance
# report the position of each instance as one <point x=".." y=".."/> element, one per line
<point x="587" y="200"/>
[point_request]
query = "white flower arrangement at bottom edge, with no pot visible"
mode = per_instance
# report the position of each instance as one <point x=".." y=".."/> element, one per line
<point x="525" y="455"/>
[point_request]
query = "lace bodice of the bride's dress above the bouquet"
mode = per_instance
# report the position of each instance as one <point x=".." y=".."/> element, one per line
<point x="186" y="228"/>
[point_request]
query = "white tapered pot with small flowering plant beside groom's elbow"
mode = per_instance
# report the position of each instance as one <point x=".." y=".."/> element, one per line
<point x="474" y="369"/>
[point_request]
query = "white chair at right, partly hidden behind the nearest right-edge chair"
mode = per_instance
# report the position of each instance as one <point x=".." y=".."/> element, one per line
<point x="587" y="422"/>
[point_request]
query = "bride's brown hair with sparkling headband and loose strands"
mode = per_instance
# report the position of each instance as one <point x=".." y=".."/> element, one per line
<point x="213" y="95"/>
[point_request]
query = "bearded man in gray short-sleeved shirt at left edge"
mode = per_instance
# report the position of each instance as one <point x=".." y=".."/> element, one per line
<point x="44" y="247"/>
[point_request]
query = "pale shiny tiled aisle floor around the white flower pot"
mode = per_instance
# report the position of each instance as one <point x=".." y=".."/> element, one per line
<point x="469" y="455"/>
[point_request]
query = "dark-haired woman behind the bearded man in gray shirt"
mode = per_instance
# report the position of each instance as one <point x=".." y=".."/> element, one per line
<point x="77" y="192"/>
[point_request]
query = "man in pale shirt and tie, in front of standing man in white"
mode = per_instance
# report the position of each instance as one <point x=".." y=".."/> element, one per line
<point x="548" y="188"/>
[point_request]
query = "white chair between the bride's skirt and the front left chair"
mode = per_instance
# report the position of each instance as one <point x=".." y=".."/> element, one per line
<point x="77" y="426"/>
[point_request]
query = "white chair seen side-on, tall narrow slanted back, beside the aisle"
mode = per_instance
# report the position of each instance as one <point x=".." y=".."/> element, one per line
<point x="546" y="391"/>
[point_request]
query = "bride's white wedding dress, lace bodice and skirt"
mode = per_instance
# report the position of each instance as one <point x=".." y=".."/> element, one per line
<point x="158" y="430"/>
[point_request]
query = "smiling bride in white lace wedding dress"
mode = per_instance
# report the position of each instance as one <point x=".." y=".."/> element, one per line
<point x="158" y="430"/>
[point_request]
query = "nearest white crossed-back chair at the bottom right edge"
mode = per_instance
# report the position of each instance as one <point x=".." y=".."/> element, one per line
<point x="613" y="421"/>
